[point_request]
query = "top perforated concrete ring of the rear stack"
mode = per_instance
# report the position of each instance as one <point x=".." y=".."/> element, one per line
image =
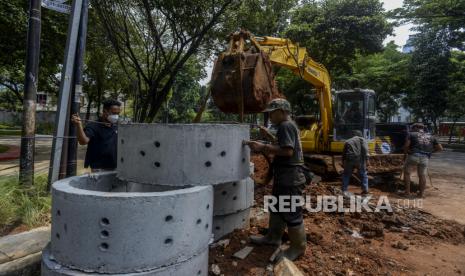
<point x="178" y="155"/>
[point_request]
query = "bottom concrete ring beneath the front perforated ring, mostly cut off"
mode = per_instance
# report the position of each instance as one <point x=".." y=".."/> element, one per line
<point x="196" y="266"/>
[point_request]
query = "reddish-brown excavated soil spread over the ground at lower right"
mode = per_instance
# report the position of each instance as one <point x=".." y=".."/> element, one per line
<point x="406" y="241"/>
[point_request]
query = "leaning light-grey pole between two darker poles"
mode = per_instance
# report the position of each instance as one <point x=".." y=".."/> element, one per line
<point x="65" y="89"/>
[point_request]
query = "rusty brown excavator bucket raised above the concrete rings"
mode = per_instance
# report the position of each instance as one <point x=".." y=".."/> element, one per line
<point x="243" y="81"/>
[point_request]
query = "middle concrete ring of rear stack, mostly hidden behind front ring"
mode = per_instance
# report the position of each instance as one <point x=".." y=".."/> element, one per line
<point x="233" y="197"/>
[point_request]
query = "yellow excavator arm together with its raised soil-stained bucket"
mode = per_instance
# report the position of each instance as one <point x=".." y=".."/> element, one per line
<point x="243" y="79"/>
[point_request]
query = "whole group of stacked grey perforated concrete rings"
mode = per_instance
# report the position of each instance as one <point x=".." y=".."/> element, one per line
<point x="174" y="186"/>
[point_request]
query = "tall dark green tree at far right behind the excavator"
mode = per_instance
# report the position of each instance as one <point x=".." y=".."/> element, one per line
<point x="429" y="71"/>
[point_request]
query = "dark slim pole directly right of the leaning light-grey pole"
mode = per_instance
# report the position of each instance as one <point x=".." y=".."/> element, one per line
<point x="71" y="168"/>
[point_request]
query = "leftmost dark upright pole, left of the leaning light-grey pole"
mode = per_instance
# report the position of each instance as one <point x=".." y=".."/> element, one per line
<point x="26" y="163"/>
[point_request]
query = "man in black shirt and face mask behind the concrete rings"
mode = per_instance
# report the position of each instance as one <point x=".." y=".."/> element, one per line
<point x="100" y="137"/>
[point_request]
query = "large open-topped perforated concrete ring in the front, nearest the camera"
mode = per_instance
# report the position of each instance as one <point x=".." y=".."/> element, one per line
<point x="101" y="224"/>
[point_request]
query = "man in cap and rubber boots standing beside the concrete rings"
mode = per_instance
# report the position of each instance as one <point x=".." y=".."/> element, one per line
<point x="288" y="180"/>
